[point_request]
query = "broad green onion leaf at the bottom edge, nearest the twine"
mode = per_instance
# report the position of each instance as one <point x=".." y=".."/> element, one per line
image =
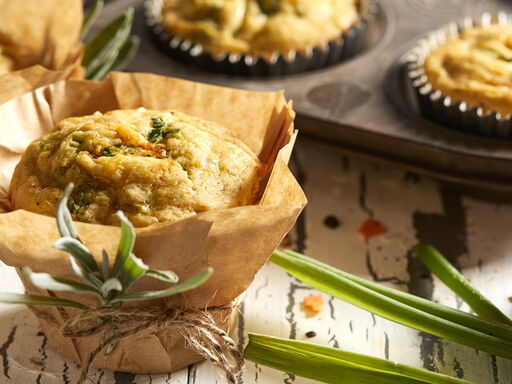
<point x="332" y="365"/>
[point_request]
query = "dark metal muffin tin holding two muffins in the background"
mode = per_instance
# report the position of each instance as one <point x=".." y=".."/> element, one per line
<point x="364" y="106"/>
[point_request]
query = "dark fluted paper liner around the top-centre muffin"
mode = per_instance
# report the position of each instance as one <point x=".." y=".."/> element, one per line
<point x="333" y="52"/>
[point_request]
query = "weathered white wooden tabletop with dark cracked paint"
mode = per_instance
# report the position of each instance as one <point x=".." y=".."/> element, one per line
<point x="342" y="192"/>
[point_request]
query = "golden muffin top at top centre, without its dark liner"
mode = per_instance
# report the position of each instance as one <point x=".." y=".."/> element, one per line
<point x="260" y="27"/>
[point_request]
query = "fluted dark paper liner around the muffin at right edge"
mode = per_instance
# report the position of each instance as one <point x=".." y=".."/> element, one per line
<point x="434" y="105"/>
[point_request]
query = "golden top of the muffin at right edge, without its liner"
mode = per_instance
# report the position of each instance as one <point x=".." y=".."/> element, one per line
<point x="475" y="67"/>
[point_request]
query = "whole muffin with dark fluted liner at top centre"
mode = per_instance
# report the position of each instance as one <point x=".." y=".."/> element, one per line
<point x="260" y="37"/>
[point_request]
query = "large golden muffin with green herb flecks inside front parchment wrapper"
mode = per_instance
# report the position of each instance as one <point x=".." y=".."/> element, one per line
<point x="153" y="165"/>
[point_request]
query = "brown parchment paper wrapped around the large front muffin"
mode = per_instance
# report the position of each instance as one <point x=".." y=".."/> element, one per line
<point x="236" y="242"/>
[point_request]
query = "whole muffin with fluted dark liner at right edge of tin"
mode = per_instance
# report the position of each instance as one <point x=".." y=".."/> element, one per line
<point x="462" y="75"/>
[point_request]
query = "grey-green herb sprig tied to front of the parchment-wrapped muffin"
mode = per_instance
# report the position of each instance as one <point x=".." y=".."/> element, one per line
<point x="111" y="285"/>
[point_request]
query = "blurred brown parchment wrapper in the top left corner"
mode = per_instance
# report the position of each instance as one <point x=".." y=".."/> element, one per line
<point x="43" y="33"/>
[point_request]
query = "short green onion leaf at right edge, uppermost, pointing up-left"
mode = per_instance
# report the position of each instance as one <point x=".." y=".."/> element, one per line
<point x="449" y="275"/>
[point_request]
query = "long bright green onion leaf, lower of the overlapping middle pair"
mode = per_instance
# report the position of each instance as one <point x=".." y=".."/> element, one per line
<point x="328" y="280"/>
